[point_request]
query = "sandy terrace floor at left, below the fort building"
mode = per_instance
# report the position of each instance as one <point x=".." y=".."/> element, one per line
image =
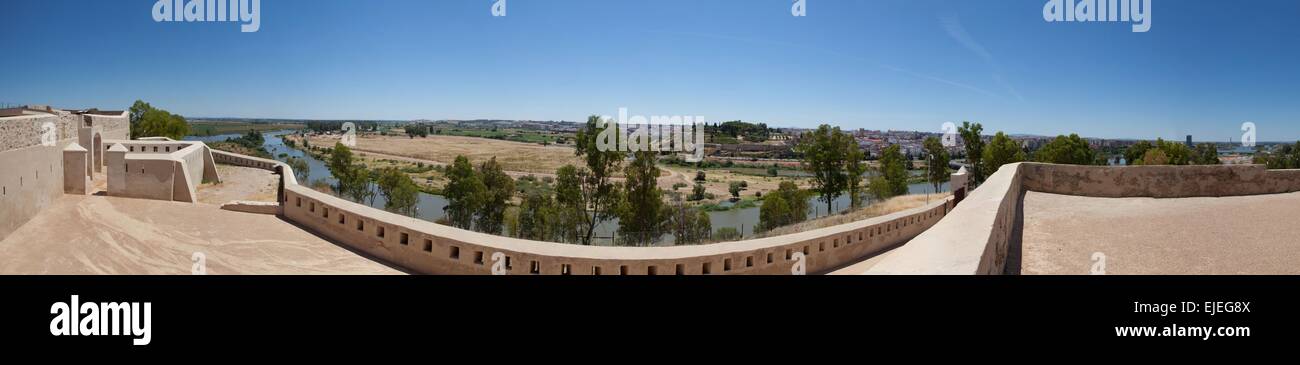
<point x="114" y="236"/>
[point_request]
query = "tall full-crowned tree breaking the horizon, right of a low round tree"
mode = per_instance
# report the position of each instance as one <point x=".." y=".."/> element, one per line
<point x="826" y="158"/>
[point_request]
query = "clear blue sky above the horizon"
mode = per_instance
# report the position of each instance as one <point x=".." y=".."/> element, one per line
<point x="1204" y="68"/>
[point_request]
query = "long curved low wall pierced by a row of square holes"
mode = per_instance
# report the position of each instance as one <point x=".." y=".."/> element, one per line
<point x="432" y="249"/>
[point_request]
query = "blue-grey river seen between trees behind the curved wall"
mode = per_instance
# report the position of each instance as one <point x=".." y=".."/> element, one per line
<point x="431" y="207"/>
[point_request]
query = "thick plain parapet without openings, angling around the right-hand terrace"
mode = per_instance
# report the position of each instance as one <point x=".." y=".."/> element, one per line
<point x="977" y="236"/>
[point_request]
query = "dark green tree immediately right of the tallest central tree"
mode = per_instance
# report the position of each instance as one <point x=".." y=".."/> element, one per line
<point x="642" y="216"/>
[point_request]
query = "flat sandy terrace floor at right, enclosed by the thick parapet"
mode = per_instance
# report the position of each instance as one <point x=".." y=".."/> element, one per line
<point x="1142" y="236"/>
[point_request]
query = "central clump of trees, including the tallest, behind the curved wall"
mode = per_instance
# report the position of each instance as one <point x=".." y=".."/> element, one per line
<point x="582" y="199"/>
